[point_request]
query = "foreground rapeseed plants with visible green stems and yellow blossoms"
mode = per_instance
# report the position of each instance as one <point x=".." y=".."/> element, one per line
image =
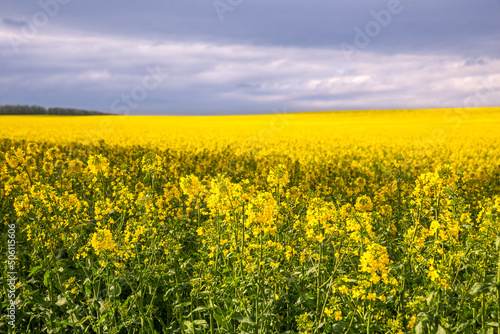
<point x="129" y="240"/>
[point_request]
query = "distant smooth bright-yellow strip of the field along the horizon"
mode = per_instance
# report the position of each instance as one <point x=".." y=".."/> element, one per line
<point x="414" y="127"/>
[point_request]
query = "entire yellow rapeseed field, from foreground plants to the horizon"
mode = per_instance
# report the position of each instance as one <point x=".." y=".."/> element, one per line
<point x="341" y="222"/>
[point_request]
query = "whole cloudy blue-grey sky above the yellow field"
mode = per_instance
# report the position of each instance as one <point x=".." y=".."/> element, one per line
<point x="202" y="57"/>
